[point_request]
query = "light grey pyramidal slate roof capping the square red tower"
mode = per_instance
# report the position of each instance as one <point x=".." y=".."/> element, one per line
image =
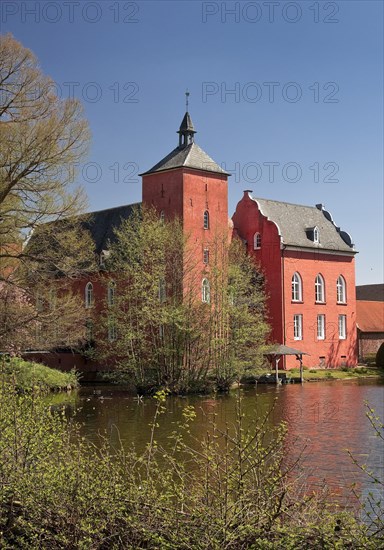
<point x="191" y="156"/>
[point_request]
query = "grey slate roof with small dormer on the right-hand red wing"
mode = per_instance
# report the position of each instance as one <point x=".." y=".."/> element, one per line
<point x="296" y="223"/>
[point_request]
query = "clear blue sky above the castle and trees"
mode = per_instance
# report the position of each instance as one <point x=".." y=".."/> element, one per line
<point x="288" y="96"/>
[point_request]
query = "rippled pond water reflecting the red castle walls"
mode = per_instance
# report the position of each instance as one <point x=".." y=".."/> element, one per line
<point x="324" y="418"/>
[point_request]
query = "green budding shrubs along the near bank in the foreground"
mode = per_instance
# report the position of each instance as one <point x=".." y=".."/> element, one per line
<point x="234" y="489"/>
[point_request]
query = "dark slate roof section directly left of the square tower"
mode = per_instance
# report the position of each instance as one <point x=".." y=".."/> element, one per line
<point x="101" y="224"/>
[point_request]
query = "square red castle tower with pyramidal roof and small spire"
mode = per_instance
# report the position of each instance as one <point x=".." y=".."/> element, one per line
<point x="188" y="184"/>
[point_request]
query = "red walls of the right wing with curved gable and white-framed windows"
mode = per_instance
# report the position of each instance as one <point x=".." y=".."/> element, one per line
<point x="279" y="264"/>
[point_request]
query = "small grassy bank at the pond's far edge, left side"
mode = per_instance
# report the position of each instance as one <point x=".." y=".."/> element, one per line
<point x="28" y="376"/>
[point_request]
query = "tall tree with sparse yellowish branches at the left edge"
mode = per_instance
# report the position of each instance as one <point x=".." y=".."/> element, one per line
<point x="42" y="139"/>
